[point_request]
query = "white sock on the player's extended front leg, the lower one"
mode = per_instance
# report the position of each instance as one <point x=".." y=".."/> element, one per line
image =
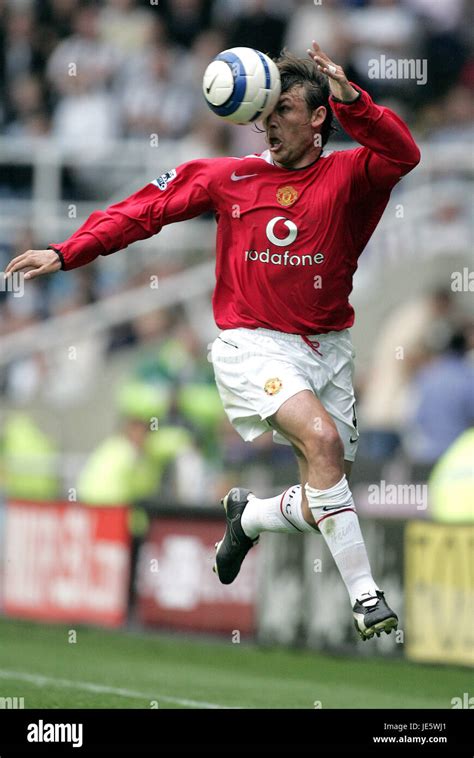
<point x="334" y="512"/>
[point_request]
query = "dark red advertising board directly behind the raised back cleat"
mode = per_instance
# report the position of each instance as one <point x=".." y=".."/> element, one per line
<point x="177" y="587"/>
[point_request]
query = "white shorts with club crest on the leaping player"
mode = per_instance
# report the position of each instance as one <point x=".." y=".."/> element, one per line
<point x="257" y="370"/>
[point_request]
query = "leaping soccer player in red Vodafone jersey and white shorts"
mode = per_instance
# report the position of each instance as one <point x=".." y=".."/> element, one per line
<point x="291" y="225"/>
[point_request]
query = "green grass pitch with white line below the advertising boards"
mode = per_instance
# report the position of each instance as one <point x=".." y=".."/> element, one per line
<point x="113" y="669"/>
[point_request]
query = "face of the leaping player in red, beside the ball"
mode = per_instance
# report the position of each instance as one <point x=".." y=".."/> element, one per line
<point x="290" y="130"/>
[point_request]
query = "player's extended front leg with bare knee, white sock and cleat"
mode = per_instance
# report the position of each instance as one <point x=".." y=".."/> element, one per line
<point x="306" y="423"/>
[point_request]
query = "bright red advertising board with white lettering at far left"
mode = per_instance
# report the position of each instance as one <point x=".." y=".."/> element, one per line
<point x="65" y="562"/>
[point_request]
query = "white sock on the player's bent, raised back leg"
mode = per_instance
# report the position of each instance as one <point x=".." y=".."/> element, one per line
<point x="282" y="513"/>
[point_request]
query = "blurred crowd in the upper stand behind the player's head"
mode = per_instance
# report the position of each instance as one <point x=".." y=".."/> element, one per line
<point x="90" y="71"/>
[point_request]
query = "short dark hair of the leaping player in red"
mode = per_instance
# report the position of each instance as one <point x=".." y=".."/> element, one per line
<point x="299" y="71"/>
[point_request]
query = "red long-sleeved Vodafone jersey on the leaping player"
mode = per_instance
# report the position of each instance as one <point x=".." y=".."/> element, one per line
<point x="288" y="240"/>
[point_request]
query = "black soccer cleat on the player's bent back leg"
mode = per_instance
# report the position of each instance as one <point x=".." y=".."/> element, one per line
<point x="234" y="546"/>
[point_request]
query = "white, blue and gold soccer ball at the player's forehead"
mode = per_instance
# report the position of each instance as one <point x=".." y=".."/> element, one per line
<point x="242" y="85"/>
